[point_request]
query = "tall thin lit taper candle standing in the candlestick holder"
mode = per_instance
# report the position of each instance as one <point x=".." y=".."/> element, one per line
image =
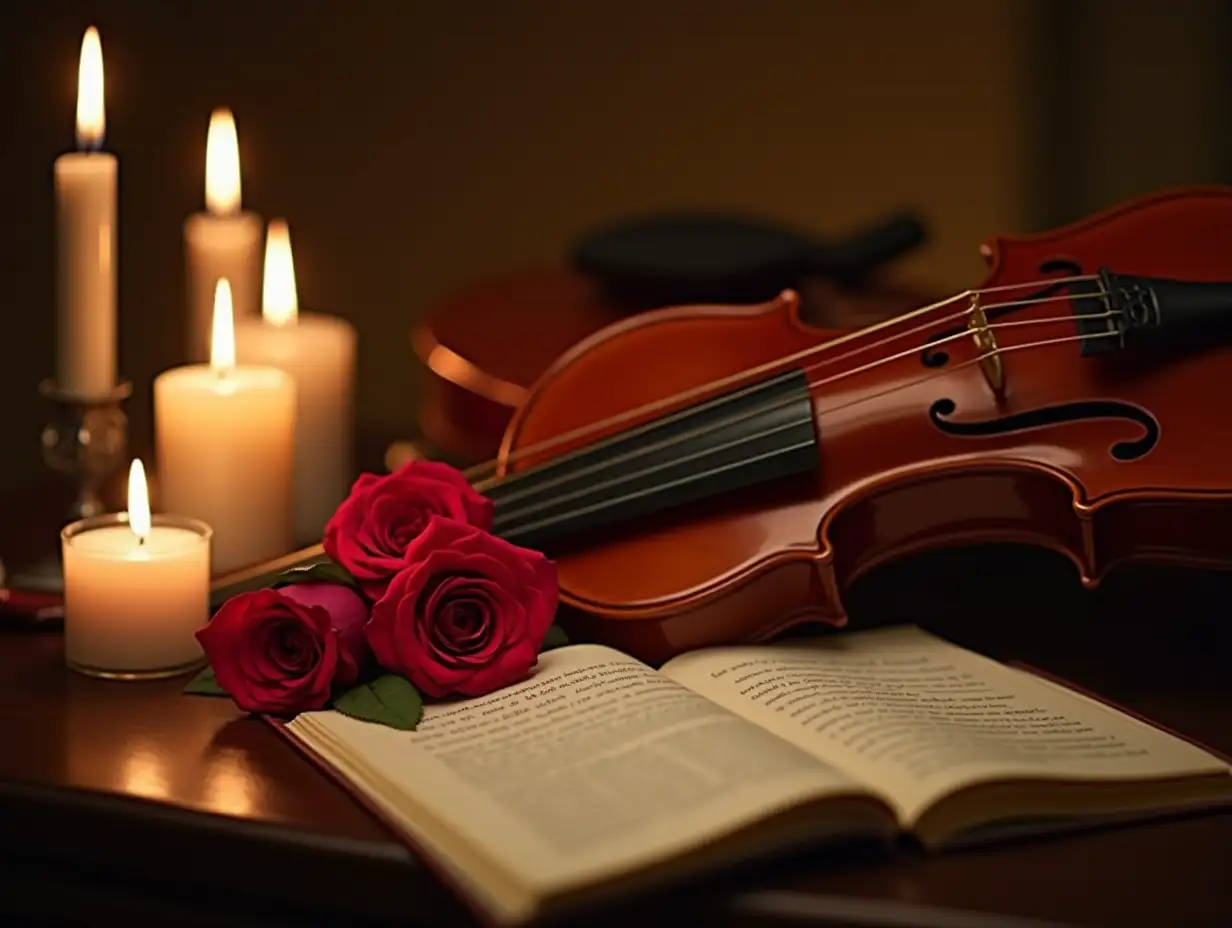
<point x="86" y="237"/>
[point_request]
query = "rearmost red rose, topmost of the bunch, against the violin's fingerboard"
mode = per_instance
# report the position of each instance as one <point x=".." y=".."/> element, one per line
<point x="370" y="533"/>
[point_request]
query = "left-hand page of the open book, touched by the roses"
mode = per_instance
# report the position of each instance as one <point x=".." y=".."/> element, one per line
<point x="593" y="762"/>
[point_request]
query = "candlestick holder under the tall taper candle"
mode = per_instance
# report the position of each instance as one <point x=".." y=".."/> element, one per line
<point x="87" y="439"/>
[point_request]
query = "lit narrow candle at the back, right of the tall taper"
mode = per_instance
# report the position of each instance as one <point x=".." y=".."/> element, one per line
<point x="222" y="242"/>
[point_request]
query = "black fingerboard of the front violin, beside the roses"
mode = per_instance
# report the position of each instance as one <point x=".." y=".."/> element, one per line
<point x="760" y="433"/>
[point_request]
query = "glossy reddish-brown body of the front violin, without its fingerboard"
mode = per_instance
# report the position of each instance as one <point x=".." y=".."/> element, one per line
<point x="926" y="436"/>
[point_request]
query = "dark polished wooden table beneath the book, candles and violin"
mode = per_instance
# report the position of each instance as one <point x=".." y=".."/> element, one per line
<point x="132" y="800"/>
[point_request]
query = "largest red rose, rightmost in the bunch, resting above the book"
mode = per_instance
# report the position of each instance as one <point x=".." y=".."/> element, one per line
<point x="466" y="616"/>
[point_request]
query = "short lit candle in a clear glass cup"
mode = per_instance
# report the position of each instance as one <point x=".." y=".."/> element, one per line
<point x="136" y="590"/>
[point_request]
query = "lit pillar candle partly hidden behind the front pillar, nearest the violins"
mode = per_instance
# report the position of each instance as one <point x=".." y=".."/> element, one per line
<point x="318" y="353"/>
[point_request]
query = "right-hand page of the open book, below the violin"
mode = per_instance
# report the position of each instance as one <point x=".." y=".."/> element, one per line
<point x="918" y="717"/>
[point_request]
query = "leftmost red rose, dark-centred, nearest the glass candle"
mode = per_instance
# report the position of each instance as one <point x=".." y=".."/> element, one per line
<point x="284" y="651"/>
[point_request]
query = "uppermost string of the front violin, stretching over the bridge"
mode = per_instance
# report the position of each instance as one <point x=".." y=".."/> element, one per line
<point x="475" y="473"/>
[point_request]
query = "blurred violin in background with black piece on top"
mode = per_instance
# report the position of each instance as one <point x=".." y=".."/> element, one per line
<point x="485" y="346"/>
